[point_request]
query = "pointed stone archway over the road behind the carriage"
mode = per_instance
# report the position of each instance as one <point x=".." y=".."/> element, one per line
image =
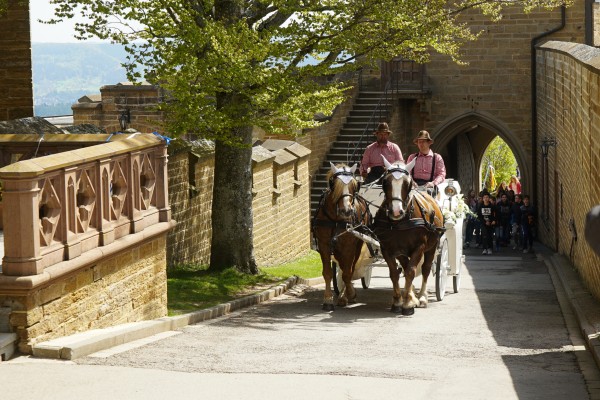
<point x="465" y="137"/>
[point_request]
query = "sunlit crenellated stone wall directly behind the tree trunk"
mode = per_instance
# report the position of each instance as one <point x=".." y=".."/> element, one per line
<point x="281" y="213"/>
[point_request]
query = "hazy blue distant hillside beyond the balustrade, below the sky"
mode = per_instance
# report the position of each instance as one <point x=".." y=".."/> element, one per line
<point x="63" y="72"/>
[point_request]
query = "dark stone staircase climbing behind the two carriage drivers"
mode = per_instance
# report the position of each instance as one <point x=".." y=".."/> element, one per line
<point x="369" y="109"/>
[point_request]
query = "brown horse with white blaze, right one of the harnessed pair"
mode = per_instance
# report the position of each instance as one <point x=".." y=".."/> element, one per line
<point x="408" y="225"/>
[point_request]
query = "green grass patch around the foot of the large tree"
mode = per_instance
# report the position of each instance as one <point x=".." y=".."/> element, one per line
<point x="192" y="287"/>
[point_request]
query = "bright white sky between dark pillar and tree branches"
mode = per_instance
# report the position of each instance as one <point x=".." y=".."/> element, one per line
<point x="60" y="33"/>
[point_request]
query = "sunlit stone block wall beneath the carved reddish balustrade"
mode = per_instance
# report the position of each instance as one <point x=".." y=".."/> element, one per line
<point x="128" y="287"/>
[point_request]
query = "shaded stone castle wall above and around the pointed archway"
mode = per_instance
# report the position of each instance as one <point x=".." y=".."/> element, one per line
<point x="495" y="85"/>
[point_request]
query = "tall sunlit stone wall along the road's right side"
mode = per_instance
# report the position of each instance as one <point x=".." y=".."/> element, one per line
<point x="568" y="101"/>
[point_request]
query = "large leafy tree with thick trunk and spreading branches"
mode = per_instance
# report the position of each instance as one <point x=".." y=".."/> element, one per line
<point x="231" y="65"/>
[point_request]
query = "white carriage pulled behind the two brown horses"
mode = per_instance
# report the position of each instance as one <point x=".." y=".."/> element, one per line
<point x="449" y="256"/>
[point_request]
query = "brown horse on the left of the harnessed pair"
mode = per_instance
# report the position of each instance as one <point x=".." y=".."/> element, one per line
<point x="340" y="207"/>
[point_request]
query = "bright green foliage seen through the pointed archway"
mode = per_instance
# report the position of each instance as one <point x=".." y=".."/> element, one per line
<point x="500" y="157"/>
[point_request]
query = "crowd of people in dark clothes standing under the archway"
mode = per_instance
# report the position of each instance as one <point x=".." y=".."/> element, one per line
<point x="502" y="218"/>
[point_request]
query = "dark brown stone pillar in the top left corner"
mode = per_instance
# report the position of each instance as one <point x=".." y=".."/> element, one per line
<point x="16" y="88"/>
